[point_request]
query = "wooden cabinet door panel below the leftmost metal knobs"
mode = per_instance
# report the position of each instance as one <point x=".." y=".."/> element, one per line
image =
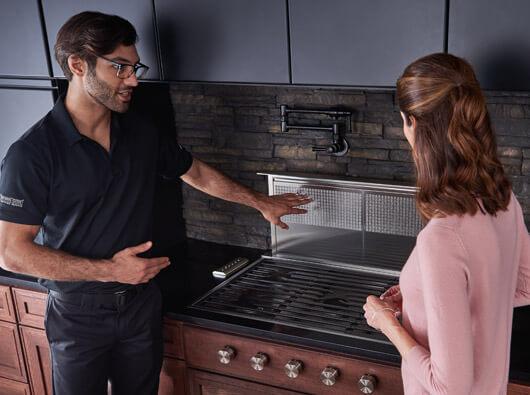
<point x="202" y="383"/>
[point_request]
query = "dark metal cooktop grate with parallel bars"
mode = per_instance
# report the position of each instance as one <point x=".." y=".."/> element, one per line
<point x="306" y="295"/>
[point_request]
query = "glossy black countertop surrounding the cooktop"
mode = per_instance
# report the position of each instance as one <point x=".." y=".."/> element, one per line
<point x="189" y="277"/>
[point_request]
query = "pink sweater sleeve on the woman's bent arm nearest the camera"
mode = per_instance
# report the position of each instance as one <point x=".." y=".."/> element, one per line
<point x="447" y="367"/>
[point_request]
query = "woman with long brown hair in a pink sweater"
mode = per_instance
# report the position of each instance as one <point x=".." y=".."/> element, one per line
<point x="471" y="262"/>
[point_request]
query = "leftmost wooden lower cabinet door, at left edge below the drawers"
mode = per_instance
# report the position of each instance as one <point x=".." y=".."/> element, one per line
<point x="11" y="357"/>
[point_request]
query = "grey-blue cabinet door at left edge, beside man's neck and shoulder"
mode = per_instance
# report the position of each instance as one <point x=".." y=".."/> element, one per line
<point x="19" y="109"/>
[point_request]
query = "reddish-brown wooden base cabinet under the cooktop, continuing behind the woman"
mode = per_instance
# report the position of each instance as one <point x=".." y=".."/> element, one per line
<point x="206" y="375"/>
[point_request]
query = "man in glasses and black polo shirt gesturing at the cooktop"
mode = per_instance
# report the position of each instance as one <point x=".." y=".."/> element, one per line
<point x="82" y="180"/>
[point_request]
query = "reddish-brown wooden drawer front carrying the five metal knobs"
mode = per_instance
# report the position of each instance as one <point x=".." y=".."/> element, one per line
<point x="201" y="347"/>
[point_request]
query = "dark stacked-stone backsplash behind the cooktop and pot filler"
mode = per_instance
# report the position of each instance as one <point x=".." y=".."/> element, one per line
<point x="236" y="128"/>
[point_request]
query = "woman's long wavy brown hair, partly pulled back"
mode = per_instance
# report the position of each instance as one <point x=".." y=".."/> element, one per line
<point x="455" y="148"/>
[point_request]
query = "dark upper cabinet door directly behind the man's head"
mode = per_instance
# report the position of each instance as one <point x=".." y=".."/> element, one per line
<point x="138" y="12"/>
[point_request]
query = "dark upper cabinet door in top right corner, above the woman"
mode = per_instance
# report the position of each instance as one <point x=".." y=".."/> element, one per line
<point x="494" y="36"/>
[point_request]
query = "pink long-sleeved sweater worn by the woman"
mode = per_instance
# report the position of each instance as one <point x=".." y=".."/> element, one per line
<point x="459" y="286"/>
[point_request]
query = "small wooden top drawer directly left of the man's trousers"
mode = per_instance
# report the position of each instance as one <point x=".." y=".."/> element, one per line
<point x="31" y="306"/>
